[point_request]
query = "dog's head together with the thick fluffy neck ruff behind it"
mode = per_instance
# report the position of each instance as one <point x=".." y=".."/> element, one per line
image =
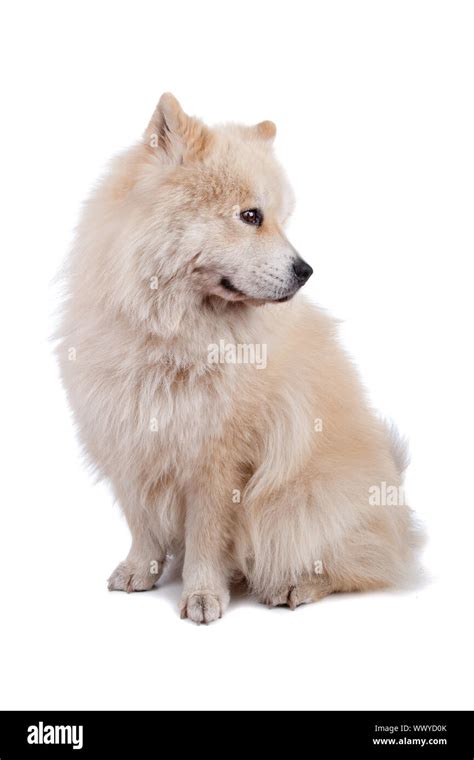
<point x="190" y="217"/>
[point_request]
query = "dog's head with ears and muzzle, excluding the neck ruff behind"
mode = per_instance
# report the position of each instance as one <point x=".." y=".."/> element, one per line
<point x="217" y="204"/>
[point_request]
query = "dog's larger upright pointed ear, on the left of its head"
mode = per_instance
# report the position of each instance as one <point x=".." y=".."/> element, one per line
<point x="175" y="135"/>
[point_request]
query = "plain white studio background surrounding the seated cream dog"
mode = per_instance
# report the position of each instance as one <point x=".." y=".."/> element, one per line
<point x="374" y="107"/>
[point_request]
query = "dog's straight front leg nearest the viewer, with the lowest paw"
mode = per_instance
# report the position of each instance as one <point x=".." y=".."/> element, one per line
<point x="206" y="560"/>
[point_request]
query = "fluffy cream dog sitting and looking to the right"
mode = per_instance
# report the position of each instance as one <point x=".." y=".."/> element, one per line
<point x="266" y="471"/>
